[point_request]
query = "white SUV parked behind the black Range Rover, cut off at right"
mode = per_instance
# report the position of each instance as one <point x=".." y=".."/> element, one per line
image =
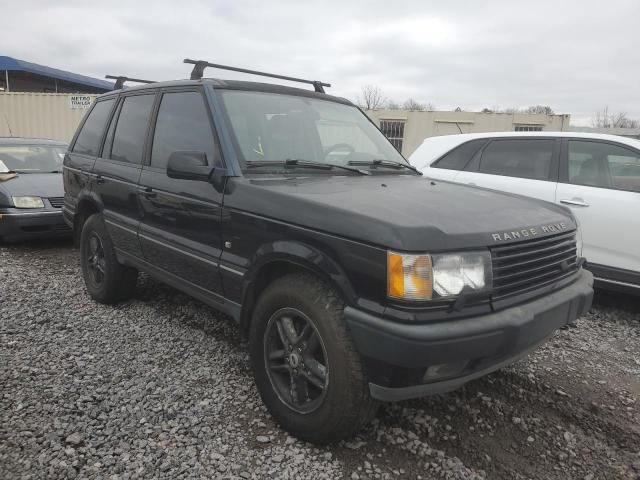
<point x="597" y="176"/>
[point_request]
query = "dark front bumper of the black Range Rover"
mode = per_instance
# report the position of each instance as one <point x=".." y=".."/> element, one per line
<point x="409" y="360"/>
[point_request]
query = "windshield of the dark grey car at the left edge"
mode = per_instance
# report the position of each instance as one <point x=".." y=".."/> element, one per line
<point x="31" y="158"/>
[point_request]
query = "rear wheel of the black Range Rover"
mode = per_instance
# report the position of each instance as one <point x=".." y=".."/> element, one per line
<point x="107" y="280"/>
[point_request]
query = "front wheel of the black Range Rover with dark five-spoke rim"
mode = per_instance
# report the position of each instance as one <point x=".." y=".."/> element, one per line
<point x="288" y="308"/>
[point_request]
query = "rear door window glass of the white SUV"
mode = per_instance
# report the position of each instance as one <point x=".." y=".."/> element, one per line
<point x="518" y="158"/>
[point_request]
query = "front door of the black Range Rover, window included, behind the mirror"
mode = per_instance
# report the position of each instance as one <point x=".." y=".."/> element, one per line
<point x="180" y="230"/>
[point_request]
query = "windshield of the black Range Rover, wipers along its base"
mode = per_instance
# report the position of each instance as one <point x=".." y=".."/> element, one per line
<point x="271" y="127"/>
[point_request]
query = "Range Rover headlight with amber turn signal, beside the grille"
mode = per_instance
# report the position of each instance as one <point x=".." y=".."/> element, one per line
<point x="427" y="277"/>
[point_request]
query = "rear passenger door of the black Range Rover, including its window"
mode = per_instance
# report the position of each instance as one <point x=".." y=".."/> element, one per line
<point x="117" y="171"/>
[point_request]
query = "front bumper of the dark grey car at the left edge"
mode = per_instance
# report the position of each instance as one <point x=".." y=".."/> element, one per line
<point x="17" y="224"/>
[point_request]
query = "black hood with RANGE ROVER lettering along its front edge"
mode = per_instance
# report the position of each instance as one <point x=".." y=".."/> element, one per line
<point x="403" y="212"/>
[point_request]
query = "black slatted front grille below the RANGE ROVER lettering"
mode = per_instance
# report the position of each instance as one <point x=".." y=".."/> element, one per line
<point x="526" y="266"/>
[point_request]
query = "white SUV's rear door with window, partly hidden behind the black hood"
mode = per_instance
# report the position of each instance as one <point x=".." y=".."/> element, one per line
<point x="526" y="166"/>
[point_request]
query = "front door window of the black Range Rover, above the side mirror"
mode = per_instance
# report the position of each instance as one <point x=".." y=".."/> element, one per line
<point x="183" y="124"/>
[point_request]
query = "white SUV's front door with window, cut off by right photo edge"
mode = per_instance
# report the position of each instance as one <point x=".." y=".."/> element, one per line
<point x="600" y="182"/>
